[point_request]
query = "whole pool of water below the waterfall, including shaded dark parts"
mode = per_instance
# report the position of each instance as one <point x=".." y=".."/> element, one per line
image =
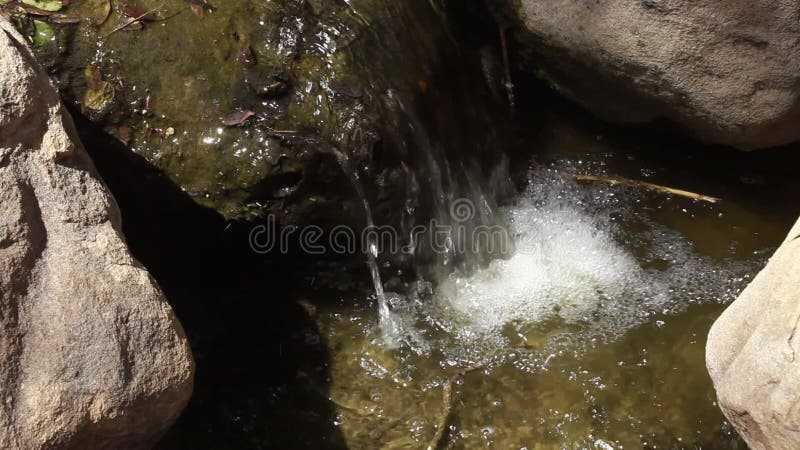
<point x="590" y="335"/>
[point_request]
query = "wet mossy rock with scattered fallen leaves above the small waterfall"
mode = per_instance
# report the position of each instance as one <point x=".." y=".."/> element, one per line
<point x="247" y="108"/>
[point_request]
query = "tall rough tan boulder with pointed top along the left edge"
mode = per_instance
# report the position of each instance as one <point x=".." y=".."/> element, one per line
<point x="91" y="355"/>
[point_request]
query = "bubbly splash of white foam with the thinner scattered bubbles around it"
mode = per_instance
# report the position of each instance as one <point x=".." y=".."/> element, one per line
<point x="588" y="267"/>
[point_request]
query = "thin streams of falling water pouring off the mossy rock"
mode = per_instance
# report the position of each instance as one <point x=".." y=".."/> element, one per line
<point x="451" y="195"/>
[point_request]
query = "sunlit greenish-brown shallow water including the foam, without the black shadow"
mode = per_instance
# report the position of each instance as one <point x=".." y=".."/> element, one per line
<point x="592" y="333"/>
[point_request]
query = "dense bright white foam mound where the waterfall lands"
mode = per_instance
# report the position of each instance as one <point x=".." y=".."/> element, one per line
<point x="564" y="264"/>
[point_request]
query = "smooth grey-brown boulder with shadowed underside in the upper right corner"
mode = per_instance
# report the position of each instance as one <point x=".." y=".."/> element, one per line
<point x="728" y="72"/>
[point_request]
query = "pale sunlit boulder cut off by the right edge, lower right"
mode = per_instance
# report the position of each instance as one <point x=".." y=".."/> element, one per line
<point x="752" y="354"/>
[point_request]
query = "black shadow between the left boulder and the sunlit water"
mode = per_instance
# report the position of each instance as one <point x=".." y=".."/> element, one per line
<point x="262" y="368"/>
